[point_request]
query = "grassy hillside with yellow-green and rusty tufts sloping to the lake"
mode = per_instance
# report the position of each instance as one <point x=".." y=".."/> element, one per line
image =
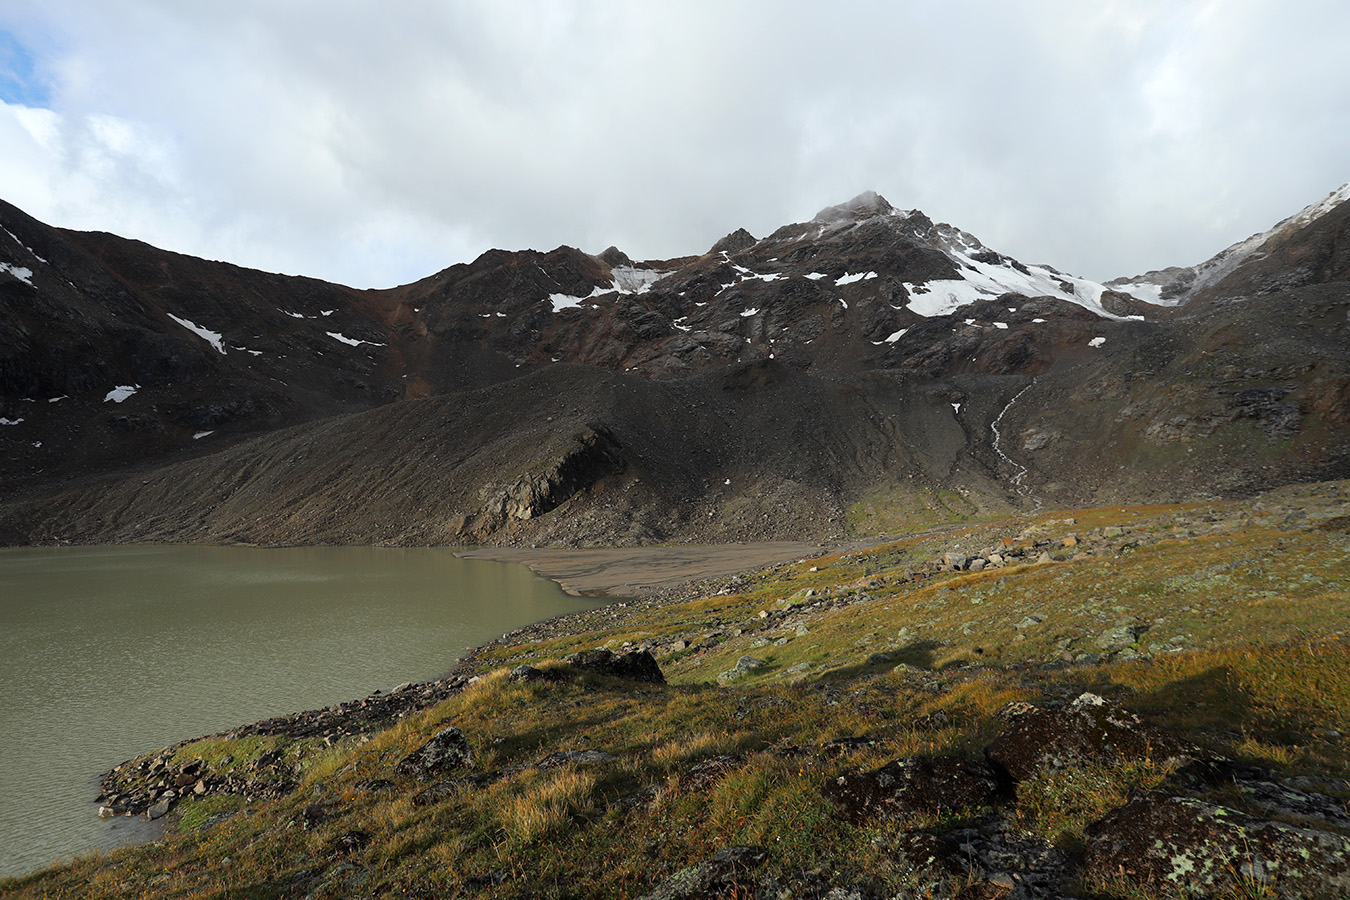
<point x="1224" y="624"/>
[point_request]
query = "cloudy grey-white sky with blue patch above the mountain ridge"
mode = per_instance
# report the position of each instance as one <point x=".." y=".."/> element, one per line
<point x="375" y="144"/>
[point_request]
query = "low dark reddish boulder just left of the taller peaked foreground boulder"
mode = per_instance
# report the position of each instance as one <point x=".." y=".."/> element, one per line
<point x="916" y="785"/>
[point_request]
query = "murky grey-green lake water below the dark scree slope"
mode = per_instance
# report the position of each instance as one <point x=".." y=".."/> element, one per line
<point x="109" y="652"/>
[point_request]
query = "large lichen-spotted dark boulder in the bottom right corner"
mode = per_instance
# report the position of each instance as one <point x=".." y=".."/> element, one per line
<point x="1163" y="843"/>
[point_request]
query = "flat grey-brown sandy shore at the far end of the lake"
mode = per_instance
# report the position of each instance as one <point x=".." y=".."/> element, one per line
<point x="639" y="571"/>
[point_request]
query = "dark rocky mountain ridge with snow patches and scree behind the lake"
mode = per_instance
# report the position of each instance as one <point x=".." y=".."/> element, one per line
<point x="859" y="372"/>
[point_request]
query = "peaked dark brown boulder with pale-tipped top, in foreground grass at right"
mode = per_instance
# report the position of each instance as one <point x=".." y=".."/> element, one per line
<point x="1087" y="732"/>
